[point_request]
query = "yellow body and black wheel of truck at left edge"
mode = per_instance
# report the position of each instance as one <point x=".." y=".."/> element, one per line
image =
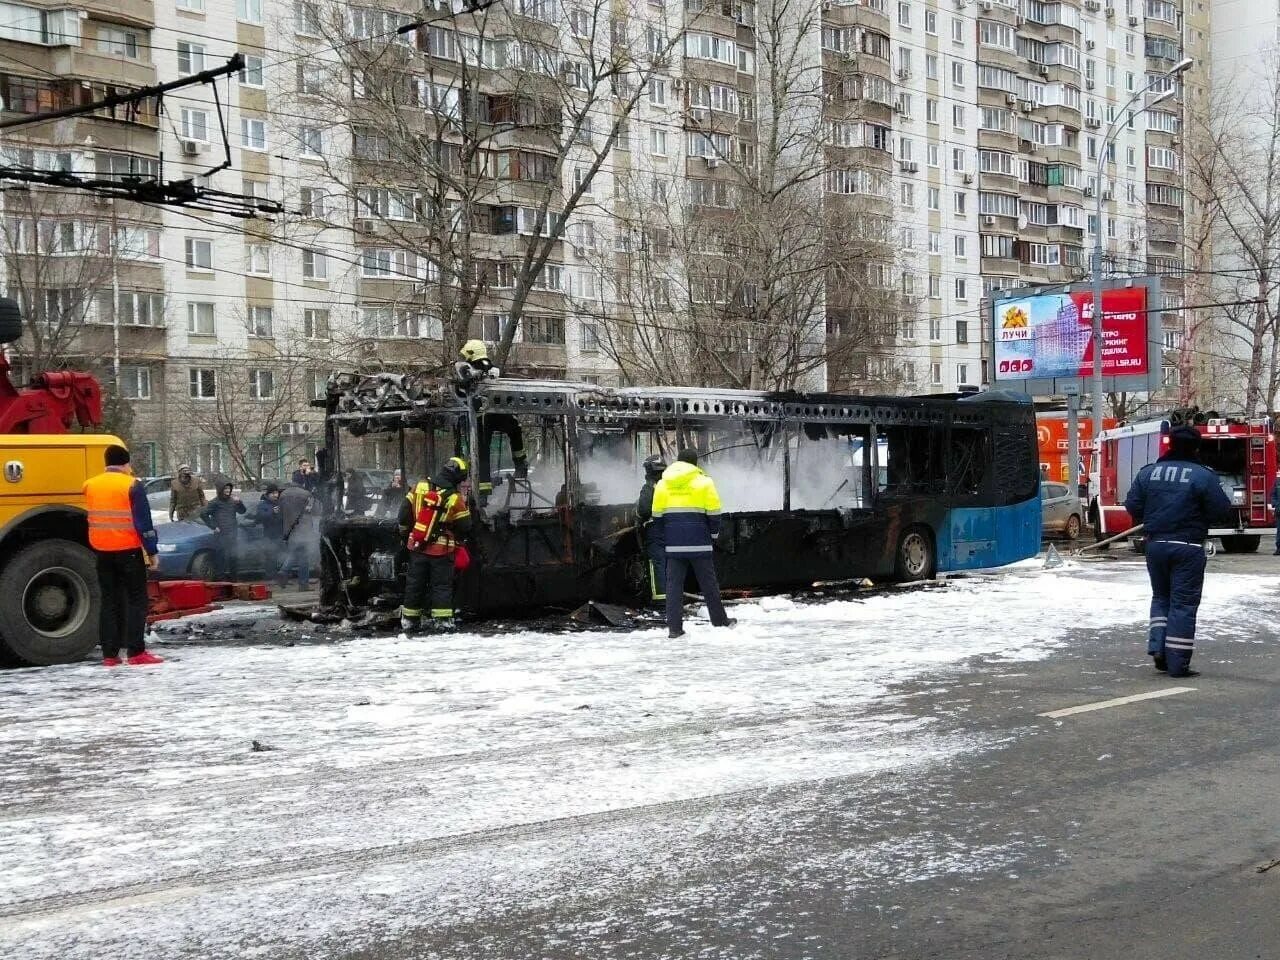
<point x="49" y="598"/>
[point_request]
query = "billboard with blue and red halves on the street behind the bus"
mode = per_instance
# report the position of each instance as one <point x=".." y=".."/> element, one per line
<point x="1043" y="340"/>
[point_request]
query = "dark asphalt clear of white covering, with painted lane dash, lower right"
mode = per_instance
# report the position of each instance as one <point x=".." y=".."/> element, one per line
<point x="1139" y="834"/>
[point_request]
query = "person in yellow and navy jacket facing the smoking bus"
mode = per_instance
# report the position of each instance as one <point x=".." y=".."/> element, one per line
<point x="688" y="506"/>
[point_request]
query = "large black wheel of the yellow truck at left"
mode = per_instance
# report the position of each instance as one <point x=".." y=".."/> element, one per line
<point x="49" y="604"/>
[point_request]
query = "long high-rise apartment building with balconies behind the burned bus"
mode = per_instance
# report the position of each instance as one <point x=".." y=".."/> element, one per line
<point x="936" y="152"/>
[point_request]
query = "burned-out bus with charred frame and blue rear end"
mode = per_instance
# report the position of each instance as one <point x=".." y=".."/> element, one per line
<point x="815" y="487"/>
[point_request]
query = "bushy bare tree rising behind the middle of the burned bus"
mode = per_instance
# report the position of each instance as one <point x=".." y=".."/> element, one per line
<point x="776" y="266"/>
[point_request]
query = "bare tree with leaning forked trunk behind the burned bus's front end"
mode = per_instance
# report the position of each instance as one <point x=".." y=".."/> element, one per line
<point x="473" y="139"/>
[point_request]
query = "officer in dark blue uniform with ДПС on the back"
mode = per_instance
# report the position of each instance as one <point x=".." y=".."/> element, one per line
<point x="1177" y="500"/>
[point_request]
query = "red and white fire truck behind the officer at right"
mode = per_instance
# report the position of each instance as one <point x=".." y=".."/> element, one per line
<point x="1241" y="451"/>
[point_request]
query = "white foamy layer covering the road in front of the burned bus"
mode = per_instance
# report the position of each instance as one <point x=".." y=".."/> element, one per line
<point x="445" y="780"/>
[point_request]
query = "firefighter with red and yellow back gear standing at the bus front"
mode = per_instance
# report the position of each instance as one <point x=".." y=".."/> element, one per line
<point x="435" y="516"/>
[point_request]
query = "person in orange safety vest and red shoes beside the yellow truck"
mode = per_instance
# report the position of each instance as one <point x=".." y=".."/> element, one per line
<point x="125" y="542"/>
